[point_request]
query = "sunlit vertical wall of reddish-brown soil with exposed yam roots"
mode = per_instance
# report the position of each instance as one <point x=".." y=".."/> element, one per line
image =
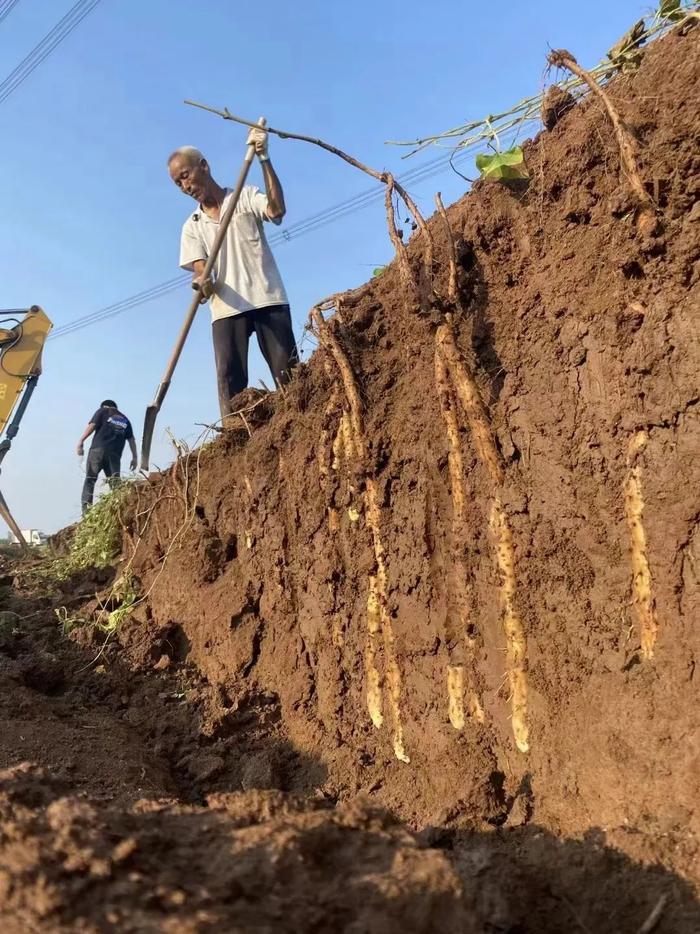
<point x="258" y="556"/>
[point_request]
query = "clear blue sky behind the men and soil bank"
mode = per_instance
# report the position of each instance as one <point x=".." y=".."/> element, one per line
<point x="90" y="216"/>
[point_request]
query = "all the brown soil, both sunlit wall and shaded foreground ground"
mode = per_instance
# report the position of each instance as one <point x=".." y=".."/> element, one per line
<point x="214" y="766"/>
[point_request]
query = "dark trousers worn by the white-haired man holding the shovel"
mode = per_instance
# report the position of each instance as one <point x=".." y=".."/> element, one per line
<point x="273" y="328"/>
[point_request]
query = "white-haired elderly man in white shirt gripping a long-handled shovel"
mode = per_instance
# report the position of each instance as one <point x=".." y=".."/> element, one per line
<point x="247" y="295"/>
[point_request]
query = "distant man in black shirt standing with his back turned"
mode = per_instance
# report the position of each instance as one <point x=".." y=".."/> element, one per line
<point x="112" y="431"/>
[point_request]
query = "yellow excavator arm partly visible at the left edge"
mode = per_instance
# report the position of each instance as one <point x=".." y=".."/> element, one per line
<point x="23" y="333"/>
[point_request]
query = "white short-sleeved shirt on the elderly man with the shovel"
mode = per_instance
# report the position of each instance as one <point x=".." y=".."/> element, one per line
<point x="245" y="271"/>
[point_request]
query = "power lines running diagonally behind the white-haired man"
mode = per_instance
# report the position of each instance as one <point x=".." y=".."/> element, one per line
<point x="308" y="225"/>
